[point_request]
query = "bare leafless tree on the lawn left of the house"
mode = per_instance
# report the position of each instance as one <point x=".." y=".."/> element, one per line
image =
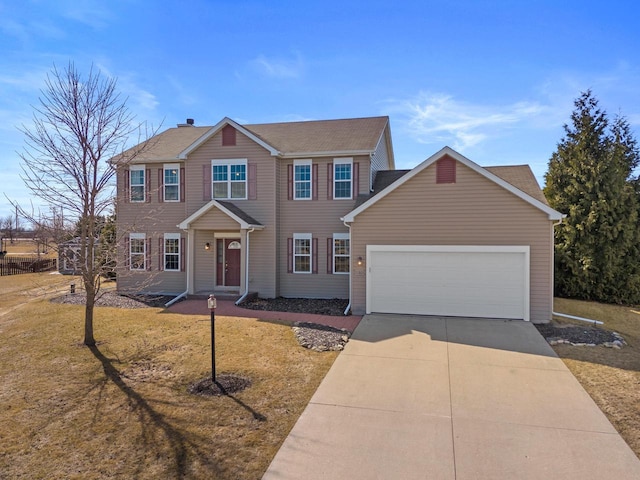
<point x="79" y="124"/>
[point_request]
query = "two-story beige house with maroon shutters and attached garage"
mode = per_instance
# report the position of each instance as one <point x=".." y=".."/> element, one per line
<point x="316" y="209"/>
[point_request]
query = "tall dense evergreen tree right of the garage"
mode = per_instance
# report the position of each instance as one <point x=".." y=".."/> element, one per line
<point x="590" y="180"/>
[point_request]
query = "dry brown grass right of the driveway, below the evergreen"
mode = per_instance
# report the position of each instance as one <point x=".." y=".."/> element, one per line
<point x="611" y="377"/>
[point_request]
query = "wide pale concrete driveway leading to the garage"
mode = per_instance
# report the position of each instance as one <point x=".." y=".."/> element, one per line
<point x="451" y="398"/>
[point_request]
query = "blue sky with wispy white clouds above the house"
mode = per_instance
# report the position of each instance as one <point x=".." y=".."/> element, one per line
<point x="494" y="80"/>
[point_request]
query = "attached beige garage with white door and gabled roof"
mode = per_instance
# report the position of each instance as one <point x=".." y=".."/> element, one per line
<point x="451" y="238"/>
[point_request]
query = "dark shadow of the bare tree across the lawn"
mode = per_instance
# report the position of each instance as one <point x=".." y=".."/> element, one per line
<point x="150" y="419"/>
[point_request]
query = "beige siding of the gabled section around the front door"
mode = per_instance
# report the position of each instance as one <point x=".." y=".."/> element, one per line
<point x="262" y="277"/>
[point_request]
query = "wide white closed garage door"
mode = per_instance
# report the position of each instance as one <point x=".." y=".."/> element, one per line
<point x="460" y="281"/>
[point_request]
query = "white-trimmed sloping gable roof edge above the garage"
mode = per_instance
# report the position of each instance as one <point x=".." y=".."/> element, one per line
<point x="447" y="151"/>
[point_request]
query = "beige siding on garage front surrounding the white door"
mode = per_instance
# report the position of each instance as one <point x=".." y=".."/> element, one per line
<point x="472" y="211"/>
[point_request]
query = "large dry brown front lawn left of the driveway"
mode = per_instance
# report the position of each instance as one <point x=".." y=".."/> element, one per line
<point x="121" y="410"/>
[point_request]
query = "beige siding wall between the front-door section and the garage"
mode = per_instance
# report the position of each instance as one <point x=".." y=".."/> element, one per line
<point x="321" y="218"/>
